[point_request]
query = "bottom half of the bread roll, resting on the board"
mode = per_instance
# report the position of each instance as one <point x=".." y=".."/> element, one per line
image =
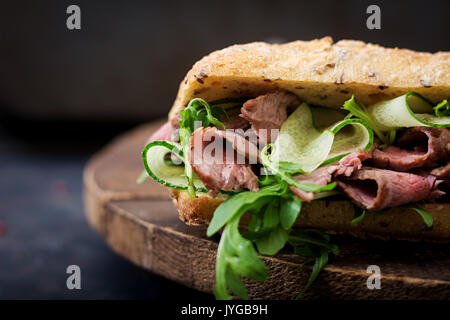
<point x="335" y="217"/>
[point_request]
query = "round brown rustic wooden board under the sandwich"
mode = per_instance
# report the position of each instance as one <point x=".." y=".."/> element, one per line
<point x="140" y="223"/>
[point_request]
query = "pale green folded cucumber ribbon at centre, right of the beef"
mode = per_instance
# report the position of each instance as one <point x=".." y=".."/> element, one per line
<point x="315" y="136"/>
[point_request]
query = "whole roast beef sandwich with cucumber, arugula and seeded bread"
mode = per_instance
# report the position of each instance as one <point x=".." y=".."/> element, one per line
<point x="277" y="147"/>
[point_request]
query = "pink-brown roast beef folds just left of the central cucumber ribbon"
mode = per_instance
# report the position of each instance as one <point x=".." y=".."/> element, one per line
<point x="231" y="171"/>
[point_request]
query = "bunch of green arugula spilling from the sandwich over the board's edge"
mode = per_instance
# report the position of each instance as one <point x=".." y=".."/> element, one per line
<point x="274" y="209"/>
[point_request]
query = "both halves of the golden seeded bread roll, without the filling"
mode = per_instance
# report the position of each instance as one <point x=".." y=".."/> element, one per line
<point x="323" y="73"/>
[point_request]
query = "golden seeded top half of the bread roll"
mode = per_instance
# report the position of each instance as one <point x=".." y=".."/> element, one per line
<point x="319" y="72"/>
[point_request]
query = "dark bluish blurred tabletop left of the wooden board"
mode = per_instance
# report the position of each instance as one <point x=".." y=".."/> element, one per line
<point x="42" y="225"/>
